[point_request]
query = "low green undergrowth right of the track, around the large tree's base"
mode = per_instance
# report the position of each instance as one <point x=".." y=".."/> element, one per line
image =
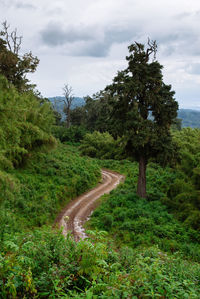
<point x="145" y="222"/>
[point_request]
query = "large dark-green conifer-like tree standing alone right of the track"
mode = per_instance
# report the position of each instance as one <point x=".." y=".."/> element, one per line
<point x="143" y="108"/>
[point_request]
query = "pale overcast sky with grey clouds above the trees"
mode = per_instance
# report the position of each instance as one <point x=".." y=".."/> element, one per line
<point x="84" y="42"/>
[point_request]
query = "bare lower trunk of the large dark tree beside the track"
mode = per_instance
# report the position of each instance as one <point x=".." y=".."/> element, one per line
<point x="141" y="186"/>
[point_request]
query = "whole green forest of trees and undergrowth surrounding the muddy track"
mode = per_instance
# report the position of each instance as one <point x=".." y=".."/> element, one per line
<point x="144" y="237"/>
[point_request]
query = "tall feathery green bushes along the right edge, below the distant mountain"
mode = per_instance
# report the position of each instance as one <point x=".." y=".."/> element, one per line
<point x="184" y="194"/>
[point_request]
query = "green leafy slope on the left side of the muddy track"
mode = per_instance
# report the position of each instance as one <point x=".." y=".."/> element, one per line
<point x="33" y="195"/>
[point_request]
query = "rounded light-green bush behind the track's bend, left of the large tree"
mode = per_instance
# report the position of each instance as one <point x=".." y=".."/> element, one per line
<point x="102" y="146"/>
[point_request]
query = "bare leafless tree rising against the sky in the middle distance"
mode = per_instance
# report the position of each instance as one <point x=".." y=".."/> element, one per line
<point x="69" y="97"/>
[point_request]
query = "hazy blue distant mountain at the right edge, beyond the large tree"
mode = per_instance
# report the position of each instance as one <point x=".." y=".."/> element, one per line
<point x="190" y="118"/>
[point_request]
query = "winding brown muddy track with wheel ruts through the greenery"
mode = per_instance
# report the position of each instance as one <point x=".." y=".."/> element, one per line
<point x="76" y="213"/>
